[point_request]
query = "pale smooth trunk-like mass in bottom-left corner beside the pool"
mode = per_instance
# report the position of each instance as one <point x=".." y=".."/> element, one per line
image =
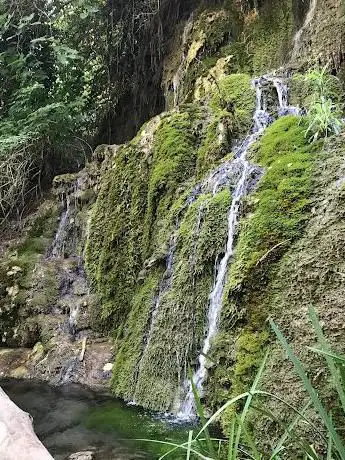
<point x="17" y="438"/>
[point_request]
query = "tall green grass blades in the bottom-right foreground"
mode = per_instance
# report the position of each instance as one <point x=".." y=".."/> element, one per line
<point x="240" y="442"/>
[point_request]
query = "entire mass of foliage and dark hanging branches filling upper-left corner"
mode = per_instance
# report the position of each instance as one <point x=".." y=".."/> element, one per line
<point x="64" y="67"/>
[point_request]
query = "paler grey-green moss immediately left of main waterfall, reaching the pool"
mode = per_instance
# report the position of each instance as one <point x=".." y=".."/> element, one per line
<point x="183" y="297"/>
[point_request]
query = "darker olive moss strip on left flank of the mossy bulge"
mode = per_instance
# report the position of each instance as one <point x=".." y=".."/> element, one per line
<point x="114" y="247"/>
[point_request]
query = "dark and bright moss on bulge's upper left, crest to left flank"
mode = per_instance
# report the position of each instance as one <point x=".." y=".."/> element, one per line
<point x="131" y="213"/>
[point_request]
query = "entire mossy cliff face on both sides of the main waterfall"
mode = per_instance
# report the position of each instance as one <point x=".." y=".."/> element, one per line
<point x="156" y="231"/>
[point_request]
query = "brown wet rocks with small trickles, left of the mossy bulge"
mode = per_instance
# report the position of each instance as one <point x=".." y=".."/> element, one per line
<point x="50" y="297"/>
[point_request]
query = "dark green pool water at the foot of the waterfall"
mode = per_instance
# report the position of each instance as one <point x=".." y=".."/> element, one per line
<point x="71" y="419"/>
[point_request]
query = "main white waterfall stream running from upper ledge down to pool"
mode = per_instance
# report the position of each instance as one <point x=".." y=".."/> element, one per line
<point x="261" y="120"/>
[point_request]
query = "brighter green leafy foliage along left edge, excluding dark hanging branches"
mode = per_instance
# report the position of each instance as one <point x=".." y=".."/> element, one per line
<point x="37" y="126"/>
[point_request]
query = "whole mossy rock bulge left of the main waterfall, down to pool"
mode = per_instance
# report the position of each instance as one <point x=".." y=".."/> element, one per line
<point x="155" y="235"/>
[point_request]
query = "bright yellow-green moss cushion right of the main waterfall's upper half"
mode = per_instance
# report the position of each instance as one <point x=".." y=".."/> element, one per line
<point x="280" y="206"/>
